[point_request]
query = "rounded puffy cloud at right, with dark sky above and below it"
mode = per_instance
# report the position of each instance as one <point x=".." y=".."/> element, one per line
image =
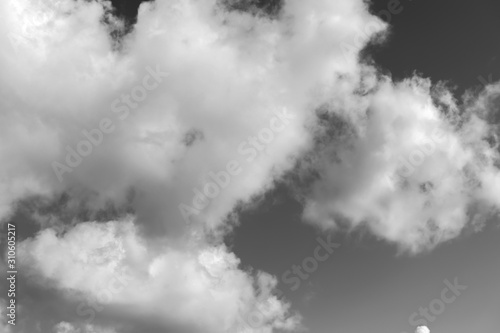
<point x="408" y="162"/>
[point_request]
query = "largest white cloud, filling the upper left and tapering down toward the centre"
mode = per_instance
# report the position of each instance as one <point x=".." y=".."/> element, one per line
<point x="65" y="75"/>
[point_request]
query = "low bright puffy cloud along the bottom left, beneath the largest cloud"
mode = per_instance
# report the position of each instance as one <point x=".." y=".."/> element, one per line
<point x="109" y="272"/>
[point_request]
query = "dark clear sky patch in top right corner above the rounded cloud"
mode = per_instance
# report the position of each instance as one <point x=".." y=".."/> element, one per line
<point x="448" y="40"/>
